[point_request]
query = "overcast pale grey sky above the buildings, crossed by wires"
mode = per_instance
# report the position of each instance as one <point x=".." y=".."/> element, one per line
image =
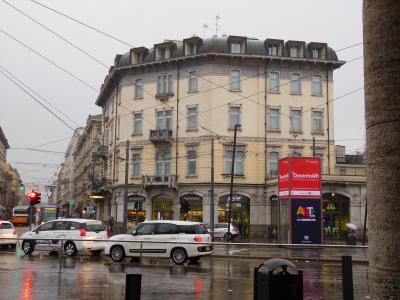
<point x="140" y="23"/>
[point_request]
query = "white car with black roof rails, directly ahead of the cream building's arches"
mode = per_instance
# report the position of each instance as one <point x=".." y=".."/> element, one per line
<point x="178" y="240"/>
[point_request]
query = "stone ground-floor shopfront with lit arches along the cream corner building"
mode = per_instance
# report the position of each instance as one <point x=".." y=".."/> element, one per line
<point x="255" y="210"/>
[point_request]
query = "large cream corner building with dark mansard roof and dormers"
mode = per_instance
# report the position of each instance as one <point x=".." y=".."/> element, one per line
<point x="171" y="101"/>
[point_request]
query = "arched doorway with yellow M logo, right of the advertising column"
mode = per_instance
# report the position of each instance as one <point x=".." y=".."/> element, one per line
<point x="336" y="214"/>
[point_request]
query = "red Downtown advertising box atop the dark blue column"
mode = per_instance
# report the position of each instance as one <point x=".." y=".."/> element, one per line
<point x="300" y="178"/>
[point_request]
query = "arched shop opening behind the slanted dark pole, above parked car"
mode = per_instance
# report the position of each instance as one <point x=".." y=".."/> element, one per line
<point x="240" y="212"/>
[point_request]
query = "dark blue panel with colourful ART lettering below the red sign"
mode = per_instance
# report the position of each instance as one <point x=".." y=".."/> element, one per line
<point x="306" y="221"/>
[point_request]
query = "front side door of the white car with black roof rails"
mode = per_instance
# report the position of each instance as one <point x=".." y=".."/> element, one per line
<point x="138" y="245"/>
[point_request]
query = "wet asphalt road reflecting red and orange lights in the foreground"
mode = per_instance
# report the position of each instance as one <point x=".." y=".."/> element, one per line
<point x="40" y="276"/>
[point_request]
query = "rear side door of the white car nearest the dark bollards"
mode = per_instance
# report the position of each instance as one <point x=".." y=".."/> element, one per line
<point x="165" y="236"/>
